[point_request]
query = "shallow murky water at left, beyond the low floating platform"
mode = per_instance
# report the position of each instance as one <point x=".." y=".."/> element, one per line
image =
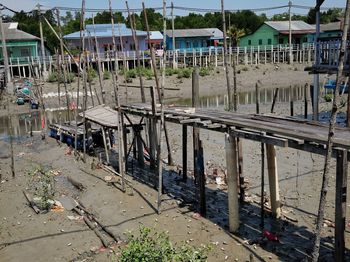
<point x="22" y="123"/>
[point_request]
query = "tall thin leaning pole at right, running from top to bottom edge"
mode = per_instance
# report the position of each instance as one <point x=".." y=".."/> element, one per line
<point x="326" y="173"/>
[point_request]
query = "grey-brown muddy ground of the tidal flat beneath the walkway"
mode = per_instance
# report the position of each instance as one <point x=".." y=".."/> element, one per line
<point x="54" y="237"/>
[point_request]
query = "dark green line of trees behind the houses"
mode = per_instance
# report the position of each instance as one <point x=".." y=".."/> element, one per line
<point x="238" y="23"/>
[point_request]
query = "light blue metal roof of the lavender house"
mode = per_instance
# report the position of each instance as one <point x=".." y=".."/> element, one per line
<point x="105" y="30"/>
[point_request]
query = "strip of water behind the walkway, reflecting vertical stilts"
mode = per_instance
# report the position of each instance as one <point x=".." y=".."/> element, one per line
<point x="246" y="98"/>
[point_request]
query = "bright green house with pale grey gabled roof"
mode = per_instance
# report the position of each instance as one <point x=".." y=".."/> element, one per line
<point x="277" y="33"/>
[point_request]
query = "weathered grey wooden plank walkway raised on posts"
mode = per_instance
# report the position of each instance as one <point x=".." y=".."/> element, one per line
<point x="298" y="133"/>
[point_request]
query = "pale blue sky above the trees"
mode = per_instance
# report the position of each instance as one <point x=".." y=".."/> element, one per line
<point x="27" y="5"/>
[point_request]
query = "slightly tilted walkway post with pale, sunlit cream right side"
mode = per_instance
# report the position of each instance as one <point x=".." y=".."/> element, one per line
<point x="273" y="180"/>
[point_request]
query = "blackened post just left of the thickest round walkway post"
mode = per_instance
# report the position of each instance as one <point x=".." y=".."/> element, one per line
<point x="201" y="182"/>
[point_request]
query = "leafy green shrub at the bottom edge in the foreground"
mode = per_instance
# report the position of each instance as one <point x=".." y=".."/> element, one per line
<point x="155" y="246"/>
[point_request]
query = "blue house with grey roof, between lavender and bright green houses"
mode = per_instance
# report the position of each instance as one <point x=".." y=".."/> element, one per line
<point x="189" y="39"/>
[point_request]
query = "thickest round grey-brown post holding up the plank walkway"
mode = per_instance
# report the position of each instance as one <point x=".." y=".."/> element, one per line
<point x="232" y="178"/>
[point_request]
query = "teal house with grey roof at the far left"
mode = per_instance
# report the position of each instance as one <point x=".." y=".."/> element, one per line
<point x="20" y="45"/>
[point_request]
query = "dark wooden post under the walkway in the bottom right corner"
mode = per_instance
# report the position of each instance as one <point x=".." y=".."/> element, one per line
<point x="340" y="204"/>
